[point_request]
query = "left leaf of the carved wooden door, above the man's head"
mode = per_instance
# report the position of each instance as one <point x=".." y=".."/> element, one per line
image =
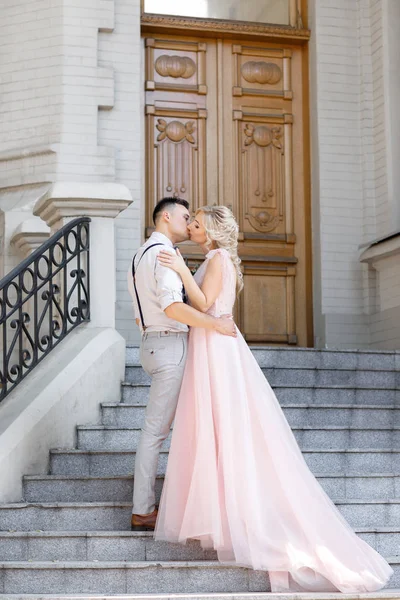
<point x="175" y="122"/>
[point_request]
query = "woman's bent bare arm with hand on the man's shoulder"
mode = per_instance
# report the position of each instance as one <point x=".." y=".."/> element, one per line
<point x="200" y="298"/>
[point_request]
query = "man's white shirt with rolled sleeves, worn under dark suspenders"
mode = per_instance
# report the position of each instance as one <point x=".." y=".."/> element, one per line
<point x="158" y="287"/>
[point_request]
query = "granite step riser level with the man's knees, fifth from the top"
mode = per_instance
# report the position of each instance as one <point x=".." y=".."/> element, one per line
<point x="108" y="437"/>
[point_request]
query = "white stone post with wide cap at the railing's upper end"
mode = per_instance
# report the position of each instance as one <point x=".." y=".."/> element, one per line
<point x="102" y="202"/>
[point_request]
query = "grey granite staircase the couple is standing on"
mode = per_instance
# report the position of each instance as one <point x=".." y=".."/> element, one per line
<point x="70" y="535"/>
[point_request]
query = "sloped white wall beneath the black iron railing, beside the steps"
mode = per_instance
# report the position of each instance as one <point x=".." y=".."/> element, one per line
<point x="64" y="391"/>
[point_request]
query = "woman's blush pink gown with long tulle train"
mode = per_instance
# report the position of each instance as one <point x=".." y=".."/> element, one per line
<point x="236" y="479"/>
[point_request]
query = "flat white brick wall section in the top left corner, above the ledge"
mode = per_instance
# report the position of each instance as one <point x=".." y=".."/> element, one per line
<point x="30" y="72"/>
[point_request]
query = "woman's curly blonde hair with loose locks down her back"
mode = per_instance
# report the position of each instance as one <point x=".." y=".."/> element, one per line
<point x="222" y="229"/>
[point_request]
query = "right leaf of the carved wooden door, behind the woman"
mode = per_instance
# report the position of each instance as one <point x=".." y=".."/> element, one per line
<point x="261" y="125"/>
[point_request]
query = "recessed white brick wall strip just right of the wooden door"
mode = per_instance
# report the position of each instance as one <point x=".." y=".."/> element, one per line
<point x="338" y="132"/>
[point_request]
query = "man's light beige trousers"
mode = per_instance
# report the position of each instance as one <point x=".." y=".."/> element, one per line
<point x="163" y="357"/>
